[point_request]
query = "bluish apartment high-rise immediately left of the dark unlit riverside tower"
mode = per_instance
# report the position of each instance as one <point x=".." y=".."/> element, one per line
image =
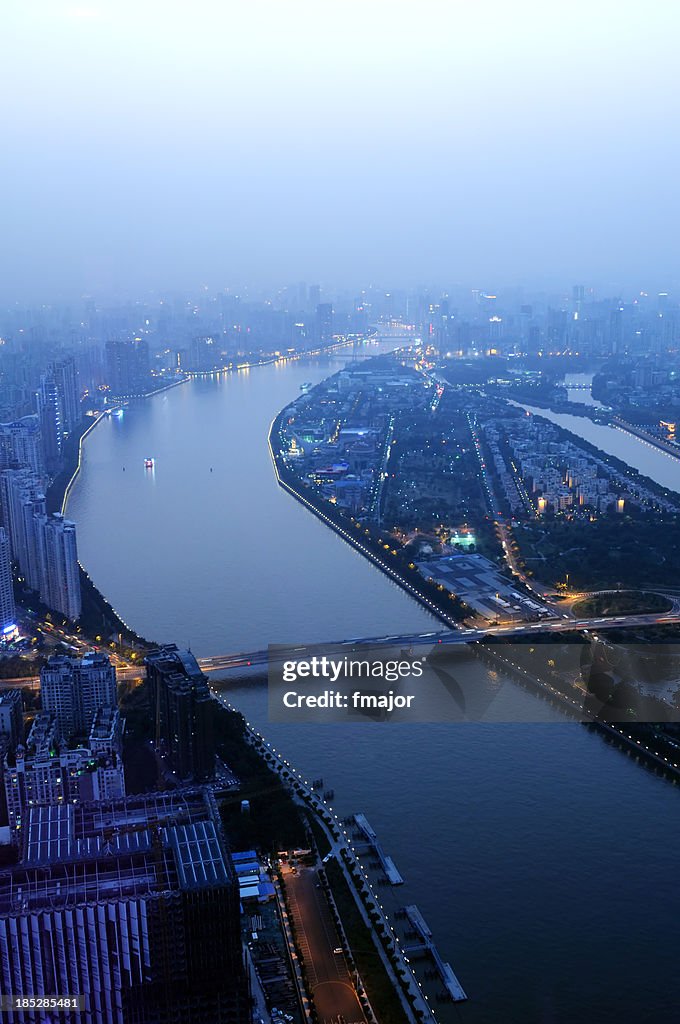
<point x="75" y="690"/>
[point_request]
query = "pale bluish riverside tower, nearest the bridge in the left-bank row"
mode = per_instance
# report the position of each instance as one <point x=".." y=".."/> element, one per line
<point x="60" y="587"/>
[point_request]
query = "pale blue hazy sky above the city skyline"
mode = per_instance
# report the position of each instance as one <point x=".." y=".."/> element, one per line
<point x="153" y="145"/>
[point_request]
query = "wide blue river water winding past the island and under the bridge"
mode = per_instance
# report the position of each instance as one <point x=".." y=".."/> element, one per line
<point x="544" y="861"/>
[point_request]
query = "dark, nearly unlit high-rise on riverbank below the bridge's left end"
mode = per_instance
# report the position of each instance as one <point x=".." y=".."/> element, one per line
<point x="183" y="708"/>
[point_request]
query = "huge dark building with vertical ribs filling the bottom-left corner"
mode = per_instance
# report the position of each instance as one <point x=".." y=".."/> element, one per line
<point x="134" y="904"/>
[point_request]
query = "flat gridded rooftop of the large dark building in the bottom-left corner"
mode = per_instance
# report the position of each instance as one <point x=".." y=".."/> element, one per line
<point x="122" y="849"/>
